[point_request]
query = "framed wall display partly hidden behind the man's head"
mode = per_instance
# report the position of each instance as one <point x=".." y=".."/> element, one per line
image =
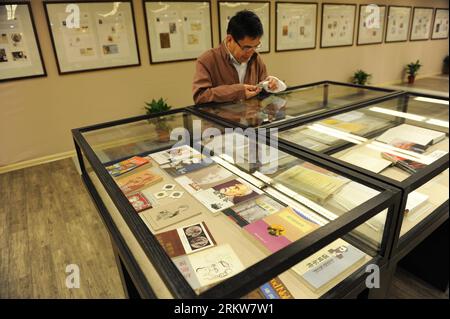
<point x="228" y="9"/>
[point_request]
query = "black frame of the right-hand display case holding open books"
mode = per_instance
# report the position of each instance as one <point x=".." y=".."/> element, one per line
<point x="422" y="234"/>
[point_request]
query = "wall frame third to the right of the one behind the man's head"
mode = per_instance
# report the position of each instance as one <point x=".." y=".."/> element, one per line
<point x="371" y="24"/>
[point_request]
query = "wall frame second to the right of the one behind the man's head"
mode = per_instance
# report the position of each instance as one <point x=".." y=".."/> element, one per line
<point x="338" y="24"/>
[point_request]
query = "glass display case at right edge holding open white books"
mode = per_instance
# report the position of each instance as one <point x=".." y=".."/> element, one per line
<point x="402" y="141"/>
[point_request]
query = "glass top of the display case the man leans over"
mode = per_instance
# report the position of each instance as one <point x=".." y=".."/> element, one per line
<point x="269" y="110"/>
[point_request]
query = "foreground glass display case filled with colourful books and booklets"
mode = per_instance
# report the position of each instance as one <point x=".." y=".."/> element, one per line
<point x="195" y="210"/>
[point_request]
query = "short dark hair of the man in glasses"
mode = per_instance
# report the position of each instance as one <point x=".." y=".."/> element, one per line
<point x="243" y="24"/>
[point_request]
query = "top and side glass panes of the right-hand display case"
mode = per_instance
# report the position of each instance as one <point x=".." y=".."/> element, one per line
<point x="402" y="141"/>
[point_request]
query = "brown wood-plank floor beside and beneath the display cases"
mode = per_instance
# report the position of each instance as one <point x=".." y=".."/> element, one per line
<point x="47" y="221"/>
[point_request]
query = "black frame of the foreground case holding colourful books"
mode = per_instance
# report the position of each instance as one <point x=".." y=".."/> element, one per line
<point x="133" y="276"/>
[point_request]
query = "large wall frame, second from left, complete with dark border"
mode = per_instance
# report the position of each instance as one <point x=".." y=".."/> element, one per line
<point x="92" y="35"/>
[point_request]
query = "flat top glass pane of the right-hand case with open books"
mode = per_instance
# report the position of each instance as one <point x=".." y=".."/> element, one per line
<point x="395" y="138"/>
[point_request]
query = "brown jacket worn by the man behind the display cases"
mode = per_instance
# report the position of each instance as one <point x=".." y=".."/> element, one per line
<point x="216" y="79"/>
